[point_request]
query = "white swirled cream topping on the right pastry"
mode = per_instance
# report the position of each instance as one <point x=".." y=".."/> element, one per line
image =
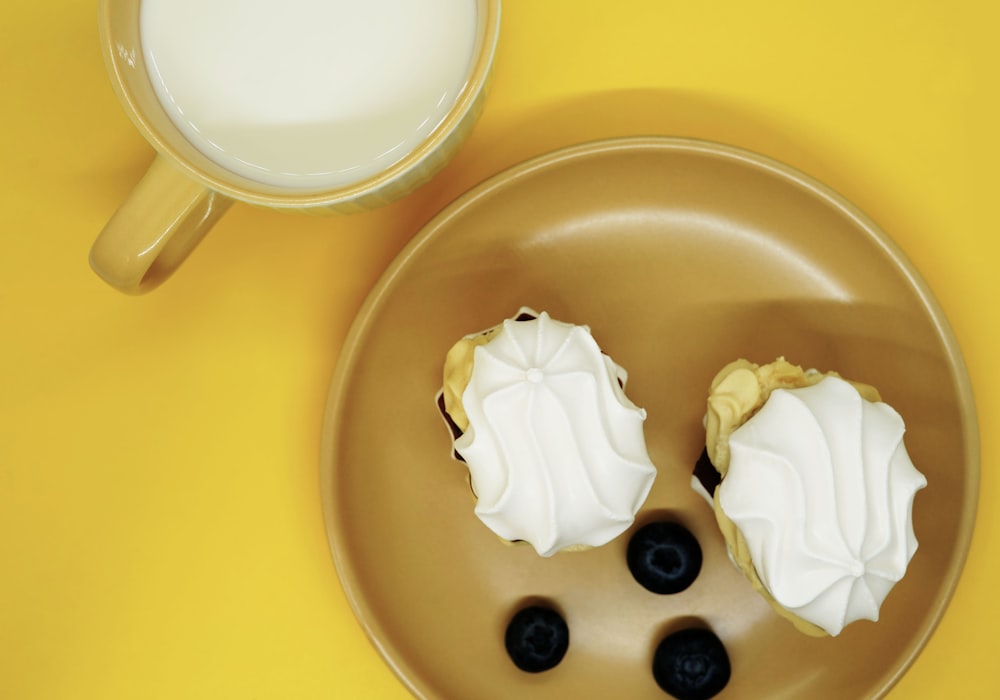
<point x="822" y="488"/>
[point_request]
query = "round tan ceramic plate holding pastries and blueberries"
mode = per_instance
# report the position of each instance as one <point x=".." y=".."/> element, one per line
<point x="681" y="256"/>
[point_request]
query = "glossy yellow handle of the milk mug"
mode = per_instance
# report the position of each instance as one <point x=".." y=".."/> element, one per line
<point x="155" y="229"/>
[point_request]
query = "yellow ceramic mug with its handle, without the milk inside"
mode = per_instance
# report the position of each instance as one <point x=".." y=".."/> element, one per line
<point x="184" y="192"/>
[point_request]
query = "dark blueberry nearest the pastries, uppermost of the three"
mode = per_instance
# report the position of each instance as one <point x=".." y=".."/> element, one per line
<point x="664" y="557"/>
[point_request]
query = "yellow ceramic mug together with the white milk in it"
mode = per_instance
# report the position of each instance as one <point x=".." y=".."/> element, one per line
<point x="305" y="105"/>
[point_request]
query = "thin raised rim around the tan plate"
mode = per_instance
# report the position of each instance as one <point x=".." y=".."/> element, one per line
<point x="509" y="177"/>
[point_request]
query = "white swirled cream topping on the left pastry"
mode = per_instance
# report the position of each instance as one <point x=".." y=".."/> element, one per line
<point x="555" y="449"/>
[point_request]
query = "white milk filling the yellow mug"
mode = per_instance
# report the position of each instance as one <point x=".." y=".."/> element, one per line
<point x="307" y="94"/>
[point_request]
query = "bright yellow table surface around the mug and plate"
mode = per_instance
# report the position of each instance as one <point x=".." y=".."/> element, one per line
<point x="160" y="524"/>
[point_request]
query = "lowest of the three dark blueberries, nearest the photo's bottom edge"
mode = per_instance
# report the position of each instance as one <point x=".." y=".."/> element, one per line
<point x="691" y="664"/>
